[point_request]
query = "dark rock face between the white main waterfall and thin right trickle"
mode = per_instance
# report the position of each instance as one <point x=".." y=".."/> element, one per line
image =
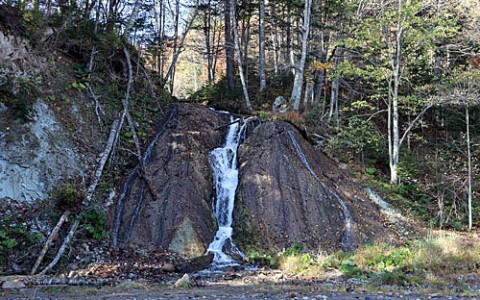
<point x="279" y="204"/>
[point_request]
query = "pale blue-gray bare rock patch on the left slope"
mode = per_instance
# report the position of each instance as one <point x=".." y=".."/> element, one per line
<point x="35" y="156"/>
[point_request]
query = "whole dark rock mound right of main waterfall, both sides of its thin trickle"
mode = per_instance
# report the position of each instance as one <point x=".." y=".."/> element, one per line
<point x="280" y="203"/>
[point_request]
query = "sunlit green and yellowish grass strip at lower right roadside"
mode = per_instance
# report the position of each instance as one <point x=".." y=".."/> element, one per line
<point x="445" y="253"/>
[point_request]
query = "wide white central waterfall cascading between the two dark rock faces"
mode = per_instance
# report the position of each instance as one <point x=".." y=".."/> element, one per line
<point x="225" y="171"/>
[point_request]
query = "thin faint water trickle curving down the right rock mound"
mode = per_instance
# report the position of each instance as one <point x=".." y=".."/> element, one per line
<point x="347" y="238"/>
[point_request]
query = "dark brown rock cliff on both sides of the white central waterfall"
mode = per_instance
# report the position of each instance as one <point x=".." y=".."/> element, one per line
<point x="279" y="202"/>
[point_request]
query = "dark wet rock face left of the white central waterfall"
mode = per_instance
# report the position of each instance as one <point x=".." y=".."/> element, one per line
<point x="174" y="210"/>
